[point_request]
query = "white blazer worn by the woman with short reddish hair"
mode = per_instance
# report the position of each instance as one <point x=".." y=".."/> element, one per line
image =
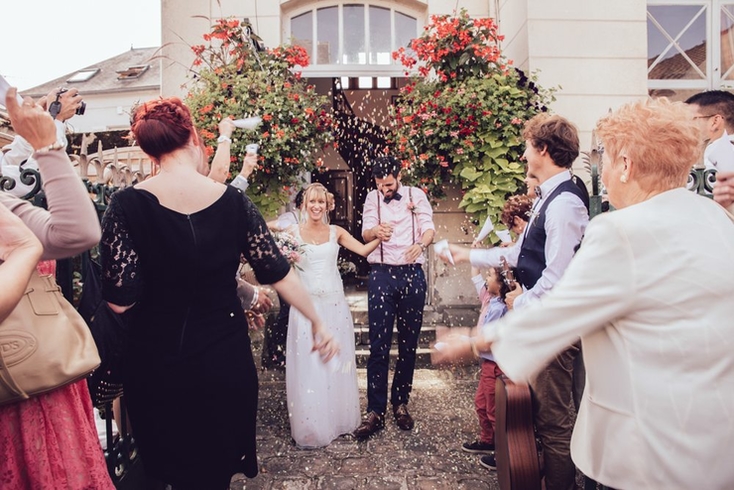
<point x="651" y="294"/>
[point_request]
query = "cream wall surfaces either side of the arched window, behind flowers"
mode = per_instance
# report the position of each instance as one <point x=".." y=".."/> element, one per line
<point x="594" y="51"/>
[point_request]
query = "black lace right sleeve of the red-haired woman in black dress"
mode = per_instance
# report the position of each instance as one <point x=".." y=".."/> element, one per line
<point x="259" y="248"/>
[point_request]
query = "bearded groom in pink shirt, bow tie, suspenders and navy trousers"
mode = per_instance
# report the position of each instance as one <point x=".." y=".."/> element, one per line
<point x="402" y="218"/>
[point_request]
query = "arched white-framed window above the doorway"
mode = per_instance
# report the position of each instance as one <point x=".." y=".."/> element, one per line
<point x="353" y="33"/>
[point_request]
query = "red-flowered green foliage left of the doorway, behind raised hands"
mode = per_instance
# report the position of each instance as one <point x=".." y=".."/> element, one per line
<point x="234" y="80"/>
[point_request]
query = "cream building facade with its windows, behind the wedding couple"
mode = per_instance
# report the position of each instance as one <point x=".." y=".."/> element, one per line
<point x="597" y="54"/>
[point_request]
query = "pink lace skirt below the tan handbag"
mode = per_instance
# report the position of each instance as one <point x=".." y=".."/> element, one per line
<point x="50" y="441"/>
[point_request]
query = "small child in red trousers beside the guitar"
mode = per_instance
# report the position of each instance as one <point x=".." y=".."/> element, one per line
<point x="491" y="293"/>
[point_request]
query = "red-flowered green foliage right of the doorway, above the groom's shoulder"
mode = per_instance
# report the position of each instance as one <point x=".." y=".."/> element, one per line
<point x="461" y="119"/>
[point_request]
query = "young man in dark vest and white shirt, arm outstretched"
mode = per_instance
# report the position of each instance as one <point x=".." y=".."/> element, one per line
<point x="540" y="256"/>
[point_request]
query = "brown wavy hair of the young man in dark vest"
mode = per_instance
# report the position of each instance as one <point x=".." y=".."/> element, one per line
<point x="556" y="134"/>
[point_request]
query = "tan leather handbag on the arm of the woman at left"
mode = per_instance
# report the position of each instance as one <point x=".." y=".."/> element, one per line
<point x="44" y="343"/>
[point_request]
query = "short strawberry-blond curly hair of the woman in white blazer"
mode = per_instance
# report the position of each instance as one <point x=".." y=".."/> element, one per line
<point x="659" y="136"/>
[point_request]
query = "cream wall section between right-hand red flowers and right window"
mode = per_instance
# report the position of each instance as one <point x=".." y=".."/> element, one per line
<point x="595" y="52"/>
